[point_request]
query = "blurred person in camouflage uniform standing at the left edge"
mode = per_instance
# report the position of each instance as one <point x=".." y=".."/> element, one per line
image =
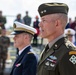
<point x="4" y="44"/>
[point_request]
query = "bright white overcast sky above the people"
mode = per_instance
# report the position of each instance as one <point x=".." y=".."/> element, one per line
<point x="11" y="8"/>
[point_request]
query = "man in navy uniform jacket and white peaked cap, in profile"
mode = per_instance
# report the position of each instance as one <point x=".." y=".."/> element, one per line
<point x="26" y="62"/>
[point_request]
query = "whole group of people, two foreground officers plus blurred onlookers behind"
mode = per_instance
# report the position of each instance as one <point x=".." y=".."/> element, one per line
<point x="58" y="56"/>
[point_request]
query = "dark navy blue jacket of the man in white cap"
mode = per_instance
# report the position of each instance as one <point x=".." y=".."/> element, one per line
<point x="25" y="64"/>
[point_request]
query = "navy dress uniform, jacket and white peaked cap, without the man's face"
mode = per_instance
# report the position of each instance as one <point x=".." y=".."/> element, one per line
<point x="26" y="62"/>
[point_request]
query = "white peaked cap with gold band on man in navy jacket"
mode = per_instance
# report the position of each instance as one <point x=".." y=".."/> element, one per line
<point x="21" y="28"/>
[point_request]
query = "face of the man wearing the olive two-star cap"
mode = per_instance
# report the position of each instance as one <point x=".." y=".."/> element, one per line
<point x="47" y="27"/>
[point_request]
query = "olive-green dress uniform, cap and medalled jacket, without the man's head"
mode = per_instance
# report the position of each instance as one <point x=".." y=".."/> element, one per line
<point x="59" y="56"/>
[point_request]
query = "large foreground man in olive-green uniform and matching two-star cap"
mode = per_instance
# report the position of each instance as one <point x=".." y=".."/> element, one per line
<point x="59" y="56"/>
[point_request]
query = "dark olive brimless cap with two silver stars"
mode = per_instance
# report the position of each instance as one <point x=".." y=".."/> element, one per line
<point x="51" y="8"/>
